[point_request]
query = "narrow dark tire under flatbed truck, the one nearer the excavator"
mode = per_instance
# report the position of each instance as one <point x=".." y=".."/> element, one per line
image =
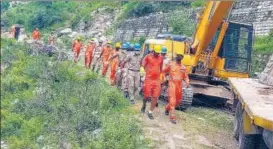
<point x="238" y="120"/>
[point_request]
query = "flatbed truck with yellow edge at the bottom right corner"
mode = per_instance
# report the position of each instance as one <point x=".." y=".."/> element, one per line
<point x="253" y="122"/>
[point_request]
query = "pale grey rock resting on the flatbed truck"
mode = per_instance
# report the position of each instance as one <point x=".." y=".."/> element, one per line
<point x="266" y="76"/>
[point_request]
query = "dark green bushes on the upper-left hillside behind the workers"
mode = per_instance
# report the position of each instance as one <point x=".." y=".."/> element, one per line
<point x="51" y="15"/>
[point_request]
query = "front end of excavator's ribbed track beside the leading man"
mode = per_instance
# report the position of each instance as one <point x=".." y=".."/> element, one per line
<point x="186" y="99"/>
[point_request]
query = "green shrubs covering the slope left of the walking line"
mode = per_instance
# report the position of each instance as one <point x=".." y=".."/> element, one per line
<point x="52" y="104"/>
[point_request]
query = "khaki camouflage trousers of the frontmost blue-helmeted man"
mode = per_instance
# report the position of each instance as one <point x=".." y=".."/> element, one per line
<point x="133" y="83"/>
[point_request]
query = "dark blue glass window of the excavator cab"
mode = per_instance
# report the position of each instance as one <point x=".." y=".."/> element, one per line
<point x="237" y="46"/>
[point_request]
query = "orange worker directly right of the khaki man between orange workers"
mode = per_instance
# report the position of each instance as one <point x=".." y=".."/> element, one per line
<point x="105" y="55"/>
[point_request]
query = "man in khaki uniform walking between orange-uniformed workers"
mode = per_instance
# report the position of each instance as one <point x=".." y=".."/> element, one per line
<point x="96" y="59"/>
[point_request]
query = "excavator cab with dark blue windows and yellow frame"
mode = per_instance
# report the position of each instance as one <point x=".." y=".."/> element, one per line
<point x="234" y="53"/>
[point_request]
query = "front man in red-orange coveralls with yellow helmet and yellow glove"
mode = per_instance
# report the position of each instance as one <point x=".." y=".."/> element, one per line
<point x="152" y="64"/>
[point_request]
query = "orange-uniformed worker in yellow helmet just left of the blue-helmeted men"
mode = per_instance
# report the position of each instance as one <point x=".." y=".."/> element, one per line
<point x="114" y="60"/>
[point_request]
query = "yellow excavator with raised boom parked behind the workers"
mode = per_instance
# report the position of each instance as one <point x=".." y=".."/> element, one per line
<point x="220" y="49"/>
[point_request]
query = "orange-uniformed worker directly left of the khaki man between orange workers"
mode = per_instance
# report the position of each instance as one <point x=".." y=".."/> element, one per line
<point x="89" y="53"/>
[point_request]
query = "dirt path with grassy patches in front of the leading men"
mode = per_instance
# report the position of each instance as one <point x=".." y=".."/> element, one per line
<point x="197" y="128"/>
